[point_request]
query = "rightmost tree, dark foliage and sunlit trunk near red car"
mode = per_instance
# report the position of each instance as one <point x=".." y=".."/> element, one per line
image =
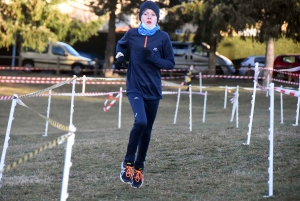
<point x="278" y="19"/>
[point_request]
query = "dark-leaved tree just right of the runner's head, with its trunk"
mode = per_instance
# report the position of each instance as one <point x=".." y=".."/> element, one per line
<point x="211" y="18"/>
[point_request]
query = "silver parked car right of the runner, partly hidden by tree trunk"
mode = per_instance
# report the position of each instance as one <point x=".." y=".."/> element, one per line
<point x="187" y="53"/>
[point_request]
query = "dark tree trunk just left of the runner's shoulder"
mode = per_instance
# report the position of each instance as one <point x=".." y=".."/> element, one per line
<point x="110" y="45"/>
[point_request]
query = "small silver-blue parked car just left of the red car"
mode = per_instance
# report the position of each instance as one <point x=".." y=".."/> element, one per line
<point x="247" y="66"/>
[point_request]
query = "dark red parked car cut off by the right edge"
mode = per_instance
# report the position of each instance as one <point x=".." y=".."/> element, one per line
<point x="286" y="61"/>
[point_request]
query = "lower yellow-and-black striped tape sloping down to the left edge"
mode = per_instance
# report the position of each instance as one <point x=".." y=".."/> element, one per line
<point x="28" y="156"/>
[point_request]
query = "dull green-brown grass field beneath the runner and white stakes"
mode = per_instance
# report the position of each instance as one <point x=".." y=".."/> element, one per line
<point x="209" y="163"/>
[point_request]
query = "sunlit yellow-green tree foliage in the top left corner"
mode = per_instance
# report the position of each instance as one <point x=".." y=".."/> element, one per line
<point x="37" y="22"/>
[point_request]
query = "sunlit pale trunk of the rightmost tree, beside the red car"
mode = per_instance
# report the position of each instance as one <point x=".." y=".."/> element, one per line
<point x="269" y="62"/>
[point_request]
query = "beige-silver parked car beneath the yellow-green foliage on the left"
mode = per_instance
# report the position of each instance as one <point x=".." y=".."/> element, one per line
<point x="55" y="54"/>
